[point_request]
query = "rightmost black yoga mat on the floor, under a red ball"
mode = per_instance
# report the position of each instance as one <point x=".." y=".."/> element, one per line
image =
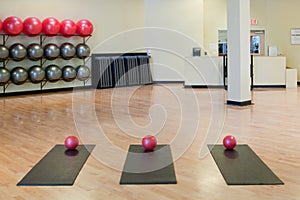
<point x="241" y="166"/>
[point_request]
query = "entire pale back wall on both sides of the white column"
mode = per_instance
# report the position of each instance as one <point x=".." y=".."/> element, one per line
<point x="116" y="23"/>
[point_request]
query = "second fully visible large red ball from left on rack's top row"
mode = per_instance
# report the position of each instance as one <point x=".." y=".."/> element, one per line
<point x="32" y="26"/>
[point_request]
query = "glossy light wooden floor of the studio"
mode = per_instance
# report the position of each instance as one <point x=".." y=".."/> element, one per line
<point x="114" y="118"/>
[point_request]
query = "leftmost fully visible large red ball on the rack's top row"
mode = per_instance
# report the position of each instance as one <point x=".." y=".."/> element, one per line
<point x="12" y="25"/>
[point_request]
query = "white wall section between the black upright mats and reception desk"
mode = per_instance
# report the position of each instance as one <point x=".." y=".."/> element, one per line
<point x="178" y="28"/>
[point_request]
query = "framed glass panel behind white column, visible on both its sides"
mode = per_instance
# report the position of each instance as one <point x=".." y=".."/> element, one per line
<point x="257" y="42"/>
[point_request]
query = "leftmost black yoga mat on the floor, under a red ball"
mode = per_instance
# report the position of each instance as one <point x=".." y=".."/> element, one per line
<point x="59" y="167"/>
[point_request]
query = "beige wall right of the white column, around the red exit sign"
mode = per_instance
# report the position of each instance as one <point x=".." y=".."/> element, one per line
<point x="278" y="17"/>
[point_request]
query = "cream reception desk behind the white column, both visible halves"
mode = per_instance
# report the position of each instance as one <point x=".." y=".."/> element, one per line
<point x="208" y="71"/>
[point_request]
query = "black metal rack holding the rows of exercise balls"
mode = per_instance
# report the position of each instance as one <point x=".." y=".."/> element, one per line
<point x="10" y="88"/>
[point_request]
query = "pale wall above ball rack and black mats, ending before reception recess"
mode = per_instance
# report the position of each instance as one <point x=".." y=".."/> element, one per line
<point x="119" y="26"/>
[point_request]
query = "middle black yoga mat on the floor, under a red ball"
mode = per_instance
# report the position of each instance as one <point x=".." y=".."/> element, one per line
<point x="148" y="167"/>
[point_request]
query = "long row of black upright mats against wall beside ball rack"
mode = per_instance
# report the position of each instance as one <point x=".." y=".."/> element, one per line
<point x="119" y="70"/>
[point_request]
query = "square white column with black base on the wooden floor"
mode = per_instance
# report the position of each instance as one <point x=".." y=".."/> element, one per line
<point x="238" y="25"/>
